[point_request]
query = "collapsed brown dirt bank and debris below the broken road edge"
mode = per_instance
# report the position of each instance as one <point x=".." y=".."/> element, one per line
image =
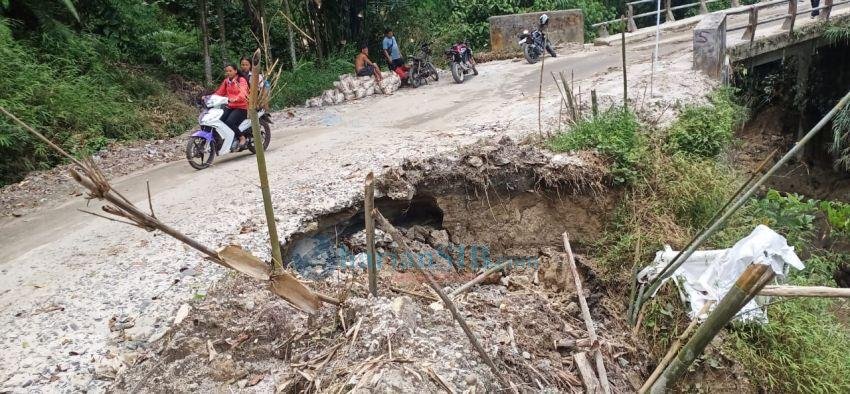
<point x="499" y="197"/>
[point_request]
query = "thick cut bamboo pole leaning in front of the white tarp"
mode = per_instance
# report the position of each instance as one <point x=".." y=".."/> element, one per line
<point x="745" y="288"/>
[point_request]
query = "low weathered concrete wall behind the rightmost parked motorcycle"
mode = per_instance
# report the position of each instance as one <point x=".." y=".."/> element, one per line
<point x="564" y="26"/>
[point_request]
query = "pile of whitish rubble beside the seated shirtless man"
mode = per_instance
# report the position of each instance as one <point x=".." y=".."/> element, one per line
<point x="350" y="87"/>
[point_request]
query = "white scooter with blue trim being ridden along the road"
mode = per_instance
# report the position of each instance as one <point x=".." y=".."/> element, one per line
<point x="215" y="138"/>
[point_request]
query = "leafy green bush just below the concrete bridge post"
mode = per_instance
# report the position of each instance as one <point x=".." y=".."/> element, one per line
<point x="705" y="130"/>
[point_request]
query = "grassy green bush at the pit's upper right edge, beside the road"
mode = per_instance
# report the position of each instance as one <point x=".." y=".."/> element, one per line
<point x="613" y="133"/>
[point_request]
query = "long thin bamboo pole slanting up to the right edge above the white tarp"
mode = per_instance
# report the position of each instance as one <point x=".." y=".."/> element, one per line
<point x="676" y="263"/>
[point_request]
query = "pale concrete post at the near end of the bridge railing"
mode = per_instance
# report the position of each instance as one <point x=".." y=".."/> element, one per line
<point x="710" y="44"/>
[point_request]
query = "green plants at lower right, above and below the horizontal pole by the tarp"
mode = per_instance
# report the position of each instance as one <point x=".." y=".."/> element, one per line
<point x="803" y="347"/>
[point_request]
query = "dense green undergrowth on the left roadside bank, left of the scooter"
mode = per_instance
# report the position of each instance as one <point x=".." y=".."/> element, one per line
<point x="75" y="99"/>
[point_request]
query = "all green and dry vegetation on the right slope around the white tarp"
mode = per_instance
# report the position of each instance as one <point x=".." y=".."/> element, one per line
<point x="674" y="188"/>
